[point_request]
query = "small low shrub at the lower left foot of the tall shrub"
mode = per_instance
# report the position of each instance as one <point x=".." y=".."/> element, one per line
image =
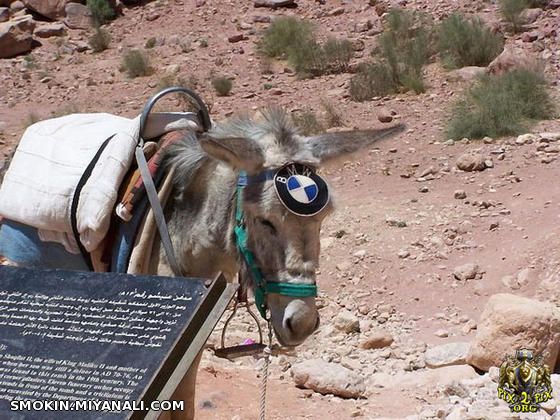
<point x="372" y="79"/>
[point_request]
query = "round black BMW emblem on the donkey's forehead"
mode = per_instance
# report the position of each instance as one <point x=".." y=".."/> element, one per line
<point x="300" y="189"/>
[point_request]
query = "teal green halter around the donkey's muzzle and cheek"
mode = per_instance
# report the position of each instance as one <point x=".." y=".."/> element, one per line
<point x="262" y="287"/>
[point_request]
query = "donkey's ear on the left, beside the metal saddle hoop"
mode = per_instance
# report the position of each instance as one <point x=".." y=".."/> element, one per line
<point x="238" y="152"/>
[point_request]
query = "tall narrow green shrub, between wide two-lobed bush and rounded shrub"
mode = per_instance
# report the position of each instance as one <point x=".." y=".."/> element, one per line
<point x="405" y="48"/>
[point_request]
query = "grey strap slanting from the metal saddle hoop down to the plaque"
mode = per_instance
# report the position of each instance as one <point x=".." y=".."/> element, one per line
<point x="157" y="210"/>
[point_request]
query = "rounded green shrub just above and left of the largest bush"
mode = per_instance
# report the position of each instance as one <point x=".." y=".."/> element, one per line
<point x="467" y="42"/>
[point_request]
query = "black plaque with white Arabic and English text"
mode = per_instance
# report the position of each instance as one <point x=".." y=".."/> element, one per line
<point x="67" y="336"/>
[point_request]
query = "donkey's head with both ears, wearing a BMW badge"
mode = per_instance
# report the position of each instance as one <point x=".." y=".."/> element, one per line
<point x="284" y="204"/>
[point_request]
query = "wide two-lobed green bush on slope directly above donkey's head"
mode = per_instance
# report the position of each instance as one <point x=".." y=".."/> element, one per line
<point x="294" y="40"/>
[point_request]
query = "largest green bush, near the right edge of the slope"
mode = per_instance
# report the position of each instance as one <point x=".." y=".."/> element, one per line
<point x="501" y="105"/>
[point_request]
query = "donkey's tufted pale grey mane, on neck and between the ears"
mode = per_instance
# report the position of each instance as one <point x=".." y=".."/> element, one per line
<point x="188" y="157"/>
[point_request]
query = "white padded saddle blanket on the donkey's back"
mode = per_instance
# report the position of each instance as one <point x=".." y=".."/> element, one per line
<point x="39" y="185"/>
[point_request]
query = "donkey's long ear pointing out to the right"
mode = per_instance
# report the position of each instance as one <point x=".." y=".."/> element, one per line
<point x="332" y="145"/>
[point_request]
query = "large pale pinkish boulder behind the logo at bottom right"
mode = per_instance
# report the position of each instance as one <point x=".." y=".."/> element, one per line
<point x="511" y="322"/>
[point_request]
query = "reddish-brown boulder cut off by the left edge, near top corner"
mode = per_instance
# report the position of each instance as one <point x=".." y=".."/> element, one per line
<point x="16" y="36"/>
